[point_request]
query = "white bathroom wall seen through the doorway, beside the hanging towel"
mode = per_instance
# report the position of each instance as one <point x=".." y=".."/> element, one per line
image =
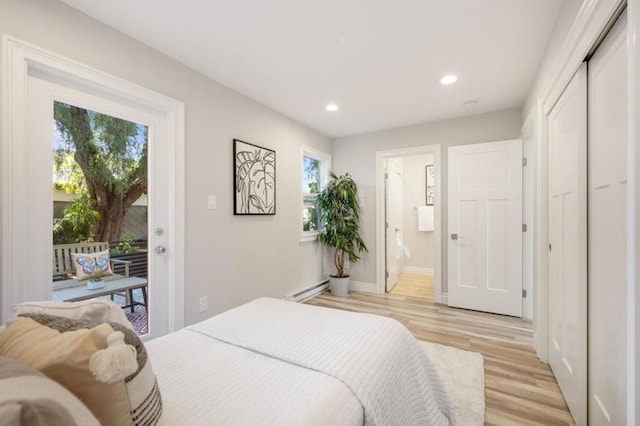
<point x="419" y="246"/>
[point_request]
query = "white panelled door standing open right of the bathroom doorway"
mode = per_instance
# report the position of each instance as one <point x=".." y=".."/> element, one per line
<point x="485" y="227"/>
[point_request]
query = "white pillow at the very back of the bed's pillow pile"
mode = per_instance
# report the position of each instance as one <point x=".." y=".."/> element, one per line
<point x="93" y="310"/>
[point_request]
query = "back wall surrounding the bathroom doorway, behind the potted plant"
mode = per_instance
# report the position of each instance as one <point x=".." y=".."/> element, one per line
<point x="357" y="154"/>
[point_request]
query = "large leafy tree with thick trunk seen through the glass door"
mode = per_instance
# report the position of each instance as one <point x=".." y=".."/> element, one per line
<point x="112" y="155"/>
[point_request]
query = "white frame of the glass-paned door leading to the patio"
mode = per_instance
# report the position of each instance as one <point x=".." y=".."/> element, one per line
<point x="38" y="178"/>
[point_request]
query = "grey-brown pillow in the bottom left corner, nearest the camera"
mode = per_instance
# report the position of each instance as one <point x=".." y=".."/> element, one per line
<point x="28" y="397"/>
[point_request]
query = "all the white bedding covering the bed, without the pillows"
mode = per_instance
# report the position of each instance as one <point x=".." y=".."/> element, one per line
<point x="371" y="360"/>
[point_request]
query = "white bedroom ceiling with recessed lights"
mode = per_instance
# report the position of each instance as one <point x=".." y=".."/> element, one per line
<point x="379" y="60"/>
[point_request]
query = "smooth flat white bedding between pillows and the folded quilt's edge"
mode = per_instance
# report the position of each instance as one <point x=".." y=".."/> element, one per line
<point x="206" y="382"/>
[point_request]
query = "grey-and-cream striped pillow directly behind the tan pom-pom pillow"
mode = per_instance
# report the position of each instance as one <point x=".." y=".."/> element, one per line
<point x="145" y="402"/>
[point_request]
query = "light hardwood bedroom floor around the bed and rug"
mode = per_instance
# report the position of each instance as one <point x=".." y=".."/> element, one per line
<point x="519" y="389"/>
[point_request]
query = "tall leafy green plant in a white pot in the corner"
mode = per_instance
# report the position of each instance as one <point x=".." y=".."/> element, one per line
<point x="340" y="214"/>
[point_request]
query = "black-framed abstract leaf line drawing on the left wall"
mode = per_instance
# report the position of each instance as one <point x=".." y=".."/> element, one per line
<point x="254" y="179"/>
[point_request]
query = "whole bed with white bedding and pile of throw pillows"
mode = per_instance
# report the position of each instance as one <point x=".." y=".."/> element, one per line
<point x="268" y="362"/>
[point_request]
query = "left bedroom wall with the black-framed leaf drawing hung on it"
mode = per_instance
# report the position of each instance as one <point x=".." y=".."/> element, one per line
<point x="230" y="259"/>
